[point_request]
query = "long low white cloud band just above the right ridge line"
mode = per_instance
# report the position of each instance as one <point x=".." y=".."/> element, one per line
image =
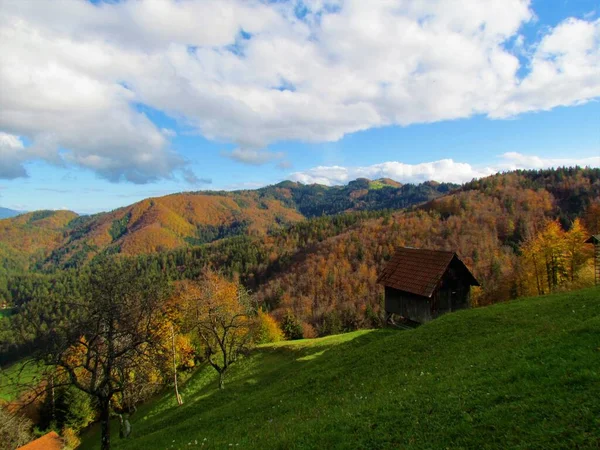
<point x="445" y="170"/>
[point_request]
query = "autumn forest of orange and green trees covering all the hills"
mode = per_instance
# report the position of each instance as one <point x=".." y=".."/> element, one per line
<point x="289" y="261"/>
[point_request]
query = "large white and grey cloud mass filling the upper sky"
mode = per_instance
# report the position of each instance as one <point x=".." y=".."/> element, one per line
<point x="253" y="73"/>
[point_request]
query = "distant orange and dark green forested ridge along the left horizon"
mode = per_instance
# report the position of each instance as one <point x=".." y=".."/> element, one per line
<point x="181" y="220"/>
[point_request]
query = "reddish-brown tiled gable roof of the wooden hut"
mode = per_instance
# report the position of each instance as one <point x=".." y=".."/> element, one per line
<point x="418" y="271"/>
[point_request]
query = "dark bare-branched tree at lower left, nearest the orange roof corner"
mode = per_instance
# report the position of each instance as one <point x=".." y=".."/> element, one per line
<point x="110" y="349"/>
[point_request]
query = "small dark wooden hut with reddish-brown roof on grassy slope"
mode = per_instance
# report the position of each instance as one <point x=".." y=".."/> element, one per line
<point x="421" y="285"/>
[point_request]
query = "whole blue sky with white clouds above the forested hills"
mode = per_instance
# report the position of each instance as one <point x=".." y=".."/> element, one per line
<point x="104" y="103"/>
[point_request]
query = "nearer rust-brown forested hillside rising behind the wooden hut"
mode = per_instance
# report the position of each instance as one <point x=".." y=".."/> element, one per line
<point x="324" y="270"/>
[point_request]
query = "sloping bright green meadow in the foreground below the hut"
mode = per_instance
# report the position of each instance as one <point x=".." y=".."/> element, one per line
<point x="524" y="374"/>
